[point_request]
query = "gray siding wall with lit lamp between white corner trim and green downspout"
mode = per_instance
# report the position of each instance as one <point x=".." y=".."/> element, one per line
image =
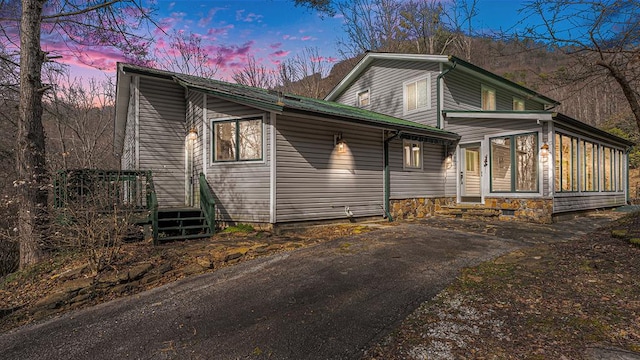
<point x="314" y="182"/>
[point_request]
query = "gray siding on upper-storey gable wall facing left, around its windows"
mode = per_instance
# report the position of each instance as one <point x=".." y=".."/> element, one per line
<point x="385" y="79"/>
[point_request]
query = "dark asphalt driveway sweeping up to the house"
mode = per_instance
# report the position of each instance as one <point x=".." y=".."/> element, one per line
<point x="329" y="301"/>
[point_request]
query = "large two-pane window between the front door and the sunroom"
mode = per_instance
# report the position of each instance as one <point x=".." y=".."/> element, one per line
<point x="514" y="163"/>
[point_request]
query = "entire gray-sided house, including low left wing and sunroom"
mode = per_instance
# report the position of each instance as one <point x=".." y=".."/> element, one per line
<point x="400" y="136"/>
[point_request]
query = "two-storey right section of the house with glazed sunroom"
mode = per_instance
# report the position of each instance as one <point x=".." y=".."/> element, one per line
<point x="516" y="157"/>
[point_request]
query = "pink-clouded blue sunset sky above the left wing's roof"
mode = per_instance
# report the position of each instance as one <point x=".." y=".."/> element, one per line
<point x="230" y="31"/>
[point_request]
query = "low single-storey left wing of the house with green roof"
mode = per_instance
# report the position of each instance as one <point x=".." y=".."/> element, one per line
<point x="268" y="157"/>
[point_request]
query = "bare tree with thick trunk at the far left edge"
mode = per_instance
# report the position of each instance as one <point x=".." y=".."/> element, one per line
<point x="79" y="23"/>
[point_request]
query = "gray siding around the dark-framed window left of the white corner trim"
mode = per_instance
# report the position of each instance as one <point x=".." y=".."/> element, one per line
<point x="241" y="189"/>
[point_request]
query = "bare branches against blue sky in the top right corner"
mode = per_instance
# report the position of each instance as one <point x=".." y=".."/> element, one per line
<point x="601" y="37"/>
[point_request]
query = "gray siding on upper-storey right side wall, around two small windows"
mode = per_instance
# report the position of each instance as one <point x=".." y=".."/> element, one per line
<point x="462" y="91"/>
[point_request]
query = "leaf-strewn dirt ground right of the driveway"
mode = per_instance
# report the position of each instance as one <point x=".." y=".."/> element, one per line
<point x="558" y="300"/>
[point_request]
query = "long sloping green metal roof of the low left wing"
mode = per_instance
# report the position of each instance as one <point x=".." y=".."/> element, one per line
<point x="279" y="102"/>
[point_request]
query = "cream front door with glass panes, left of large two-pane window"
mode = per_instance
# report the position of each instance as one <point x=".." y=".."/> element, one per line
<point x="470" y="184"/>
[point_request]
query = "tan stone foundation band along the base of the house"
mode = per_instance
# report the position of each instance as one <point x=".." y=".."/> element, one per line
<point x="535" y="210"/>
